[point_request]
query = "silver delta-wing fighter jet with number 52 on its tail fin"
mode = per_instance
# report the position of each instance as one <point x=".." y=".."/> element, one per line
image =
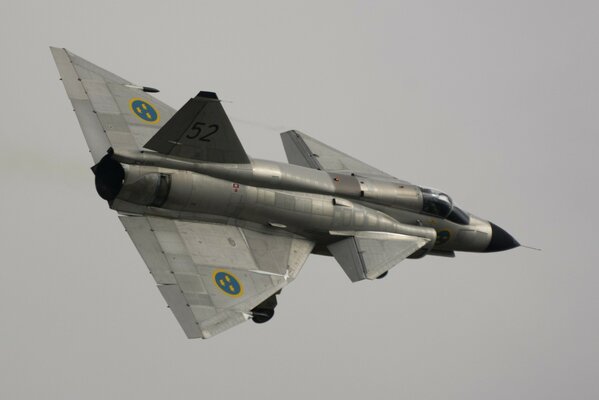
<point x="223" y="233"/>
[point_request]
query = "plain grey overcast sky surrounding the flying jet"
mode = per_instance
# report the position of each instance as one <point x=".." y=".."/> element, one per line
<point x="496" y="103"/>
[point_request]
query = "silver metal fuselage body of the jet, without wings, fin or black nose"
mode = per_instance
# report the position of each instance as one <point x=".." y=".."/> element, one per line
<point x="297" y="199"/>
